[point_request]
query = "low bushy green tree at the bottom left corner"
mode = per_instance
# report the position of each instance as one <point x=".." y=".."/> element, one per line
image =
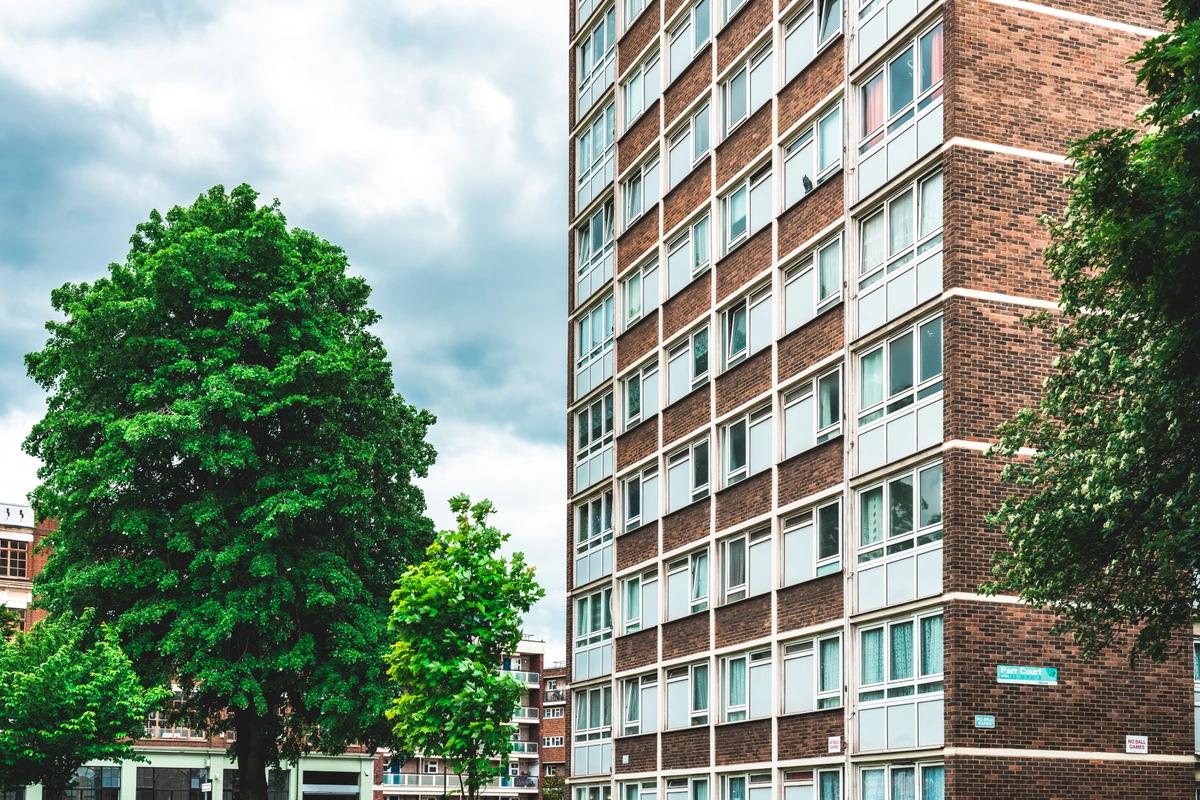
<point x="65" y="701"/>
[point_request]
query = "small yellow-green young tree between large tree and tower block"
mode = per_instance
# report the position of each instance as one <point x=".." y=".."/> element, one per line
<point x="455" y="615"/>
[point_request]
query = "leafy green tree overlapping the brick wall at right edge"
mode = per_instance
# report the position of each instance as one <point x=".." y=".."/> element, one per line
<point x="1106" y="525"/>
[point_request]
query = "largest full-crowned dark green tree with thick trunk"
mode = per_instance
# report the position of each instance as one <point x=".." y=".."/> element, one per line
<point x="233" y="476"/>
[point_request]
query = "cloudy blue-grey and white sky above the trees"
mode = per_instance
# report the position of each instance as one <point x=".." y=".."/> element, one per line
<point x="425" y="137"/>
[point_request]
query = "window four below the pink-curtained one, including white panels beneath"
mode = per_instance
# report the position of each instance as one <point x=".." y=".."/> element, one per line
<point x="901" y="684"/>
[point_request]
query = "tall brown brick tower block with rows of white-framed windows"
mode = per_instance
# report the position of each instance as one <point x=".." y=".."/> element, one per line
<point x="803" y="237"/>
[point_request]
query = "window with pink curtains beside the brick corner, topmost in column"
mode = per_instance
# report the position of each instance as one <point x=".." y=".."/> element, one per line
<point x="905" y="87"/>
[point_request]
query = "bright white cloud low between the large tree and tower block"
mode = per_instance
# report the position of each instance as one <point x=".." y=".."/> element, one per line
<point x="527" y="483"/>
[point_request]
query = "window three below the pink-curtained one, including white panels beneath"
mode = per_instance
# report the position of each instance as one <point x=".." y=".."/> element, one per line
<point x="901" y="527"/>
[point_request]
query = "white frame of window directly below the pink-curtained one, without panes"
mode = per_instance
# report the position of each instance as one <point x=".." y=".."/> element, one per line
<point x="895" y="260"/>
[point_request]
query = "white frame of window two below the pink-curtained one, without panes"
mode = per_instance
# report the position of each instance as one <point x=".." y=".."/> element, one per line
<point x="926" y="388"/>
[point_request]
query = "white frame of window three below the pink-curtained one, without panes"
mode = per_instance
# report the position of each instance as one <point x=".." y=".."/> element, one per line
<point x="921" y="537"/>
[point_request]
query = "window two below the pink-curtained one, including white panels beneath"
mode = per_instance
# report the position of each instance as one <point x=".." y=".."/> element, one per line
<point x="899" y="380"/>
